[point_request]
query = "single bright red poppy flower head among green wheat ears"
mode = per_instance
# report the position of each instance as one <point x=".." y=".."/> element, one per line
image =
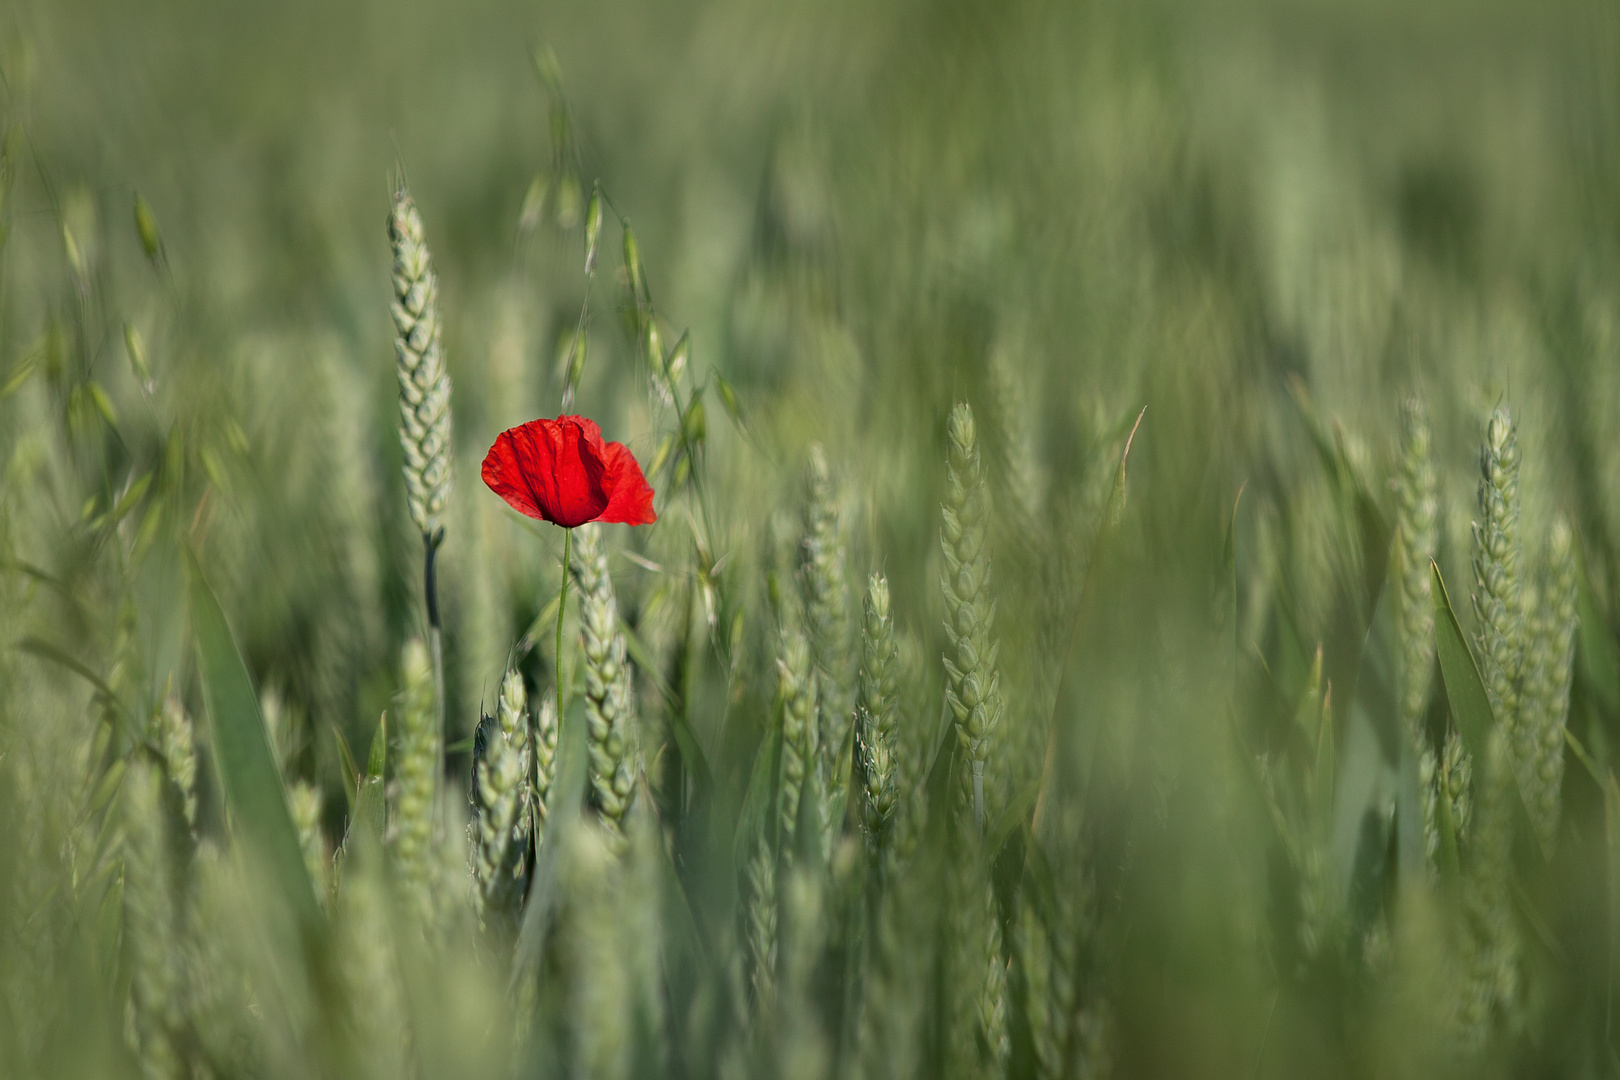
<point x="561" y="472"/>
